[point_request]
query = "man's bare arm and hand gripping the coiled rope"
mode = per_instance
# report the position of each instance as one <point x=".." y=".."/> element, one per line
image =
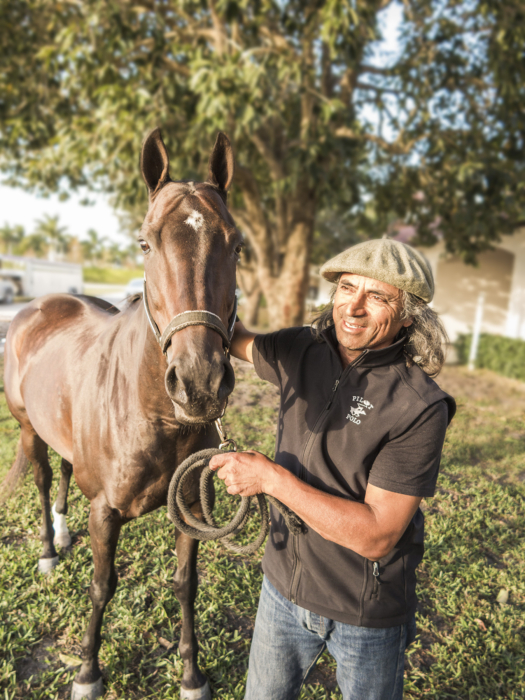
<point x="371" y="528"/>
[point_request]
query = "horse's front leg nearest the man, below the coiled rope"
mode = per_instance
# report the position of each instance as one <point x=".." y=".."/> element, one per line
<point x="194" y="685"/>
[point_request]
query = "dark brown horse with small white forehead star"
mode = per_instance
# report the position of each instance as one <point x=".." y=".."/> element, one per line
<point x="94" y="385"/>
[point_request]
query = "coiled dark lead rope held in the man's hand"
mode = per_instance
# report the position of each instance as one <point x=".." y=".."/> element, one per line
<point x="182" y="517"/>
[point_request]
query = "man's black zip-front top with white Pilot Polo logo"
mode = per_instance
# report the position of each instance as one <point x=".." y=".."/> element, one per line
<point x="375" y="421"/>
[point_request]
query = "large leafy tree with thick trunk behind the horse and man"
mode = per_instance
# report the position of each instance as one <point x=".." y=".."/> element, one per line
<point x="292" y="83"/>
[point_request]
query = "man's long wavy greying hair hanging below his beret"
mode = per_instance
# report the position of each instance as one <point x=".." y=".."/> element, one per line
<point x="425" y="338"/>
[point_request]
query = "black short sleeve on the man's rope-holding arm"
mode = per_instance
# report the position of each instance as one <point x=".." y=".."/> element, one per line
<point x="409" y="462"/>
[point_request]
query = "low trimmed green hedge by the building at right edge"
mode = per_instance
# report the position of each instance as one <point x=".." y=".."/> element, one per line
<point x="503" y="355"/>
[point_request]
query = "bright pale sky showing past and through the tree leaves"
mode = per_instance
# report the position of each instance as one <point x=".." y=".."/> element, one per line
<point x="20" y="207"/>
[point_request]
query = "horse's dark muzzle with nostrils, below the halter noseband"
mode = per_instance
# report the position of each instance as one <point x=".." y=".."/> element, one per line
<point x="198" y="388"/>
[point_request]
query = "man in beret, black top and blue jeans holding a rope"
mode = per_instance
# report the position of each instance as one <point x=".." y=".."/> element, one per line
<point x="360" y="432"/>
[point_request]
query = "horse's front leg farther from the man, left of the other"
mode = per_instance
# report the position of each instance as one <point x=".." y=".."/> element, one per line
<point x="104" y="528"/>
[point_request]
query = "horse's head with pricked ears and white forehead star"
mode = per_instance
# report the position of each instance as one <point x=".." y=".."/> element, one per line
<point x="191" y="247"/>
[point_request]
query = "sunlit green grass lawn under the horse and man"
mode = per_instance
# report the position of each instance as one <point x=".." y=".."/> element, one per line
<point x="469" y="645"/>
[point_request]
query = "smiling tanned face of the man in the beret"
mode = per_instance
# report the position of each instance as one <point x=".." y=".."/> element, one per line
<point x="366" y="315"/>
